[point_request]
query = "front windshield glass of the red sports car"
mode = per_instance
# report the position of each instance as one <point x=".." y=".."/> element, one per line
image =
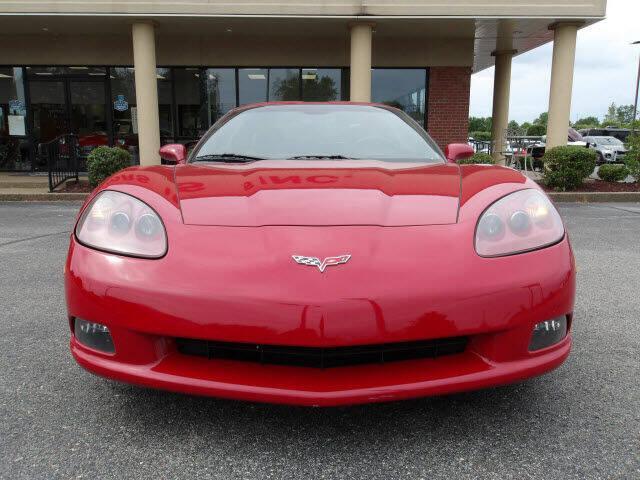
<point x="319" y="132"/>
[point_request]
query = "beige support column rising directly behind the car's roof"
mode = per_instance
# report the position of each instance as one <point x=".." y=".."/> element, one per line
<point x="360" y="68"/>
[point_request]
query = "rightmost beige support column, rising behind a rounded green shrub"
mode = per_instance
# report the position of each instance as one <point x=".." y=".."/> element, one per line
<point x="564" y="54"/>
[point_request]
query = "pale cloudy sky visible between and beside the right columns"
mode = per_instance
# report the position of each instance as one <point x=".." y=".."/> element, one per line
<point x="605" y="71"/>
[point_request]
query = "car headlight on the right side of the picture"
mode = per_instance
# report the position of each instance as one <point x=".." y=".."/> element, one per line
<point x="522" y="221"/>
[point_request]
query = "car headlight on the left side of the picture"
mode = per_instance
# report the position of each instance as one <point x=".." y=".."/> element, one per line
<point x="119" y="223"/>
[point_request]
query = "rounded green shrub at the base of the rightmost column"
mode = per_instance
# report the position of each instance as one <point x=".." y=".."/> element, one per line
<point x="566" y="167"/>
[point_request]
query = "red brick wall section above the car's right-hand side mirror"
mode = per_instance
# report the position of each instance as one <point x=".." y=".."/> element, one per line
<point x="448" y="104"/>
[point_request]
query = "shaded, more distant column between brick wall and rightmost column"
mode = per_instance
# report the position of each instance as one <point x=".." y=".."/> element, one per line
<point x="501" y="96"/>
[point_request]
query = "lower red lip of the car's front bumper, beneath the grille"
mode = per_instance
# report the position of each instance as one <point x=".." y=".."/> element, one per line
<point x="328" y="387"/>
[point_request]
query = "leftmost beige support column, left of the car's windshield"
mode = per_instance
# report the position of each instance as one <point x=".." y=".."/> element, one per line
<point x="144" y="62"/>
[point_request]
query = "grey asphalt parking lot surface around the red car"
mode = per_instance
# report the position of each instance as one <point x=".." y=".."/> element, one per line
<point x="580" y="421"/>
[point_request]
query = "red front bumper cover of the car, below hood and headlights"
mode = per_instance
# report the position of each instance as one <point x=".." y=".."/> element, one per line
<point x="493" y="302"/>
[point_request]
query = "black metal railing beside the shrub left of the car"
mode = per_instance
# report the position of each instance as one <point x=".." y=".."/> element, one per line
<point x="61" y="155"/>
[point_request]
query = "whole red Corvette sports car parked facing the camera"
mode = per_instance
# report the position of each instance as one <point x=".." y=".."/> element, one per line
<point x="319" y="254"/>
